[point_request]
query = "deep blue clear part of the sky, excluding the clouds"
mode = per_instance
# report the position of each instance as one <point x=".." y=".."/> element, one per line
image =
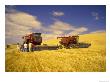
<point x="75" y="15"/>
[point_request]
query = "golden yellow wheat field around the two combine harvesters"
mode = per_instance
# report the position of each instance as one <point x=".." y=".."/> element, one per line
<point x="92" y="59"/>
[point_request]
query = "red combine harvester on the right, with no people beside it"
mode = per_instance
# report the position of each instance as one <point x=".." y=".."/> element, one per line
<point x="72" y="42"/>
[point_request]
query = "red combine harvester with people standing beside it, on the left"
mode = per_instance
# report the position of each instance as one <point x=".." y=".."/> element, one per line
<point x="36" y="40"/>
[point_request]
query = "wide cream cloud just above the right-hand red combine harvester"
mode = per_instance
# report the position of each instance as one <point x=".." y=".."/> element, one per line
<point x="60" y="28"/>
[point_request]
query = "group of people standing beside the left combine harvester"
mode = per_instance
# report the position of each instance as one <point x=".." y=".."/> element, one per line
<point x="26" y="47"/>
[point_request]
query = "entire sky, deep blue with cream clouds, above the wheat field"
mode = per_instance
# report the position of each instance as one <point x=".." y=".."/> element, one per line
<point x="59" y="19"/>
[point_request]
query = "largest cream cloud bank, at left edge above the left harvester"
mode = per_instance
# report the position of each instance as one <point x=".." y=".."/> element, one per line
<point x="17" y="24"/>
